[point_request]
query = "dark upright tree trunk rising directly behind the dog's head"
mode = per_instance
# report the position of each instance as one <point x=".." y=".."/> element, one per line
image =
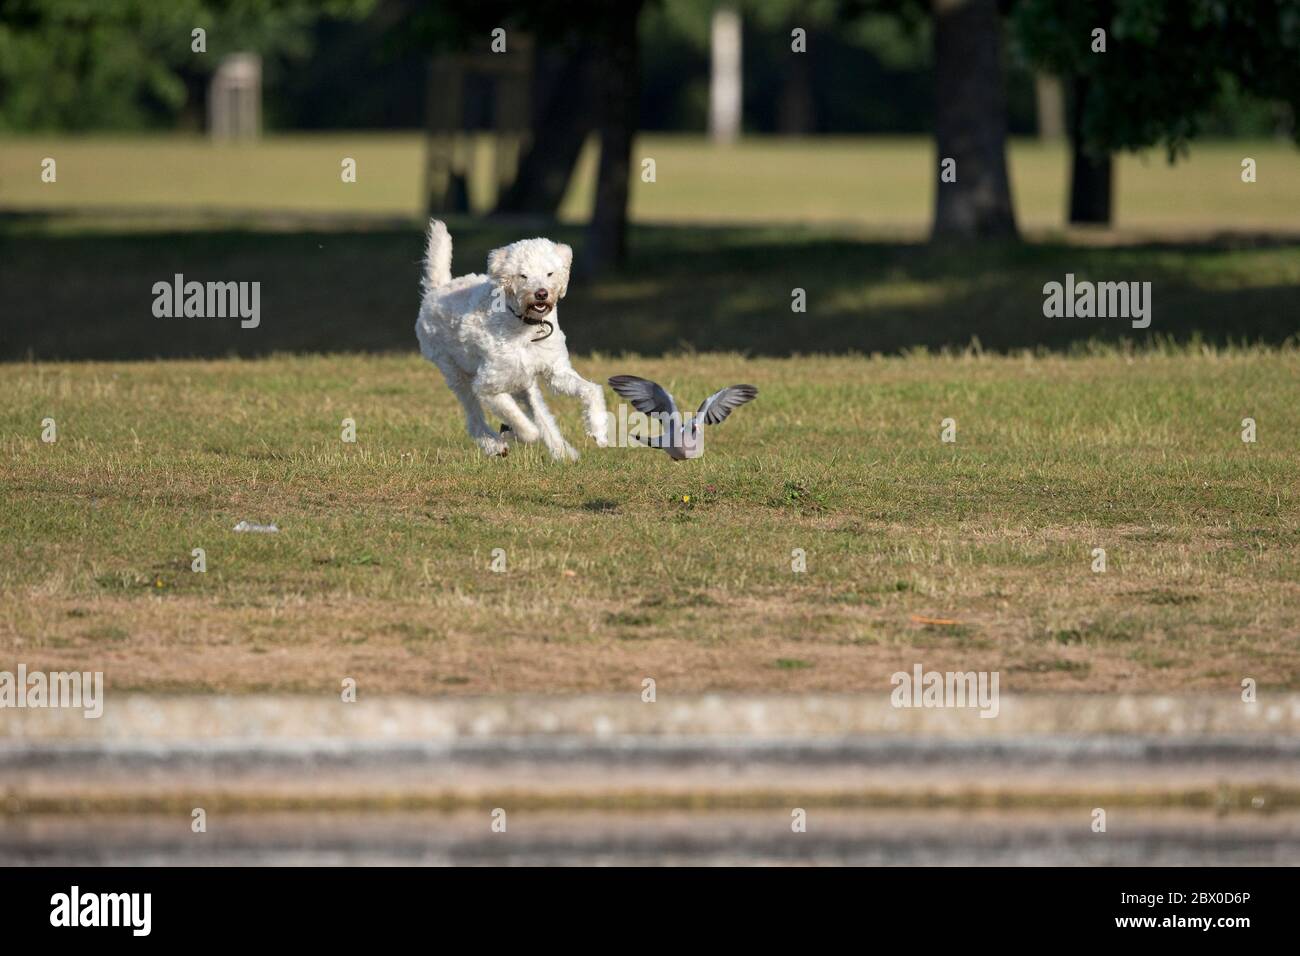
<point x="618" y="92"/>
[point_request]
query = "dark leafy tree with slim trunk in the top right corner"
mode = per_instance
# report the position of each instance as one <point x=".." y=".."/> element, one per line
<point x="1167" y="63"/>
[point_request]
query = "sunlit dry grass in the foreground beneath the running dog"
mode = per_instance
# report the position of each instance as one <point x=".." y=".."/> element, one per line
<point x="382" y="568"/>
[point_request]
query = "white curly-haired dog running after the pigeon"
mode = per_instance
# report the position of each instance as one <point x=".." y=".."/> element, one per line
<point x="496" y="336"/>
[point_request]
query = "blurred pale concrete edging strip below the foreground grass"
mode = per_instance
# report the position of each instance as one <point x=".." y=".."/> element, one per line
<point x="552" y="754"/>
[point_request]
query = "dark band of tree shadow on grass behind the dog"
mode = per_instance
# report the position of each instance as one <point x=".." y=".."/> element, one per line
<point x="89" y="296"/>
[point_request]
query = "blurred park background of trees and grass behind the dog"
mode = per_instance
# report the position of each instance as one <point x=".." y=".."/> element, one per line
<point x="707" y="159"/>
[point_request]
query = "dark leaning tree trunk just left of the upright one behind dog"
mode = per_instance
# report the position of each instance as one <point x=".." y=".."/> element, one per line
<point x="561" y="124"/>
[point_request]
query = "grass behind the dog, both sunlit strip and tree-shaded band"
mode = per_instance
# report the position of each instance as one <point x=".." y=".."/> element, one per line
<point x="838" y="219"/>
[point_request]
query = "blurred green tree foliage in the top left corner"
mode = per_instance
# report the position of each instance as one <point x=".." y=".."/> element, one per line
<point x="129" y="64"/>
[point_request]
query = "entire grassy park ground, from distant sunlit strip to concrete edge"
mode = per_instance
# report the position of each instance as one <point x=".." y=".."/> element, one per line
<point x="1072" y="435"/>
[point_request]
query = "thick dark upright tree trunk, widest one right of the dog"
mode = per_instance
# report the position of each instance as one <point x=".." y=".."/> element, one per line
<point x="970" y="122"/>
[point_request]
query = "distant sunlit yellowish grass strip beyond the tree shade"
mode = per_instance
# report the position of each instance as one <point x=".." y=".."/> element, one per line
<point x="885" y="185"/>
